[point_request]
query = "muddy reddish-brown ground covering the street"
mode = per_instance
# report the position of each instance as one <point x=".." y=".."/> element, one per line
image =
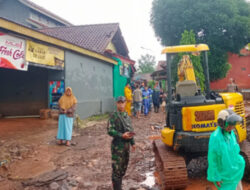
<point x="33" y="161"/>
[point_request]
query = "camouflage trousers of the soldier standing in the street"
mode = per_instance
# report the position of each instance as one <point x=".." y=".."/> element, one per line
<point x="120" y="159"/>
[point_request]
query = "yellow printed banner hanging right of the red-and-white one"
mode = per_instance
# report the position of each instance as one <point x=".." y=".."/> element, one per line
<point x="45" y="55"/>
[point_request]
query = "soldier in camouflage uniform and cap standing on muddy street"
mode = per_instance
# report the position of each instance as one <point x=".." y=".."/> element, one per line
<point x="120" y="128"/>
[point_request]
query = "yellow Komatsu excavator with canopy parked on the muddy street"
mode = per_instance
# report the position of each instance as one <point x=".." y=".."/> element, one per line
<point x="191" y="118"/>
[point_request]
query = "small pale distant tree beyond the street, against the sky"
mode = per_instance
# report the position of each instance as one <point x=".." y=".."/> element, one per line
<point x="146" y="64"/>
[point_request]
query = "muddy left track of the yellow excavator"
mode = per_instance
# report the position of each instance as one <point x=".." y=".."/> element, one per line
<point x="170" y="166"/>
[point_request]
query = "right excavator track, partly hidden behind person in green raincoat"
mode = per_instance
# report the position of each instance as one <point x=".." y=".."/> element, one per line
<point x="245" y="152"/>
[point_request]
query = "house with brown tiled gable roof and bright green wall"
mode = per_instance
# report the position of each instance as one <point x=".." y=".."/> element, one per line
<point x="105" y="39"/>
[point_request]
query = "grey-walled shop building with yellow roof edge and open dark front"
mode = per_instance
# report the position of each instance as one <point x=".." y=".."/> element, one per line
<point x="51" y="61"/>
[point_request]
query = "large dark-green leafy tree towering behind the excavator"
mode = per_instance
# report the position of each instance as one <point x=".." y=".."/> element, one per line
<point x="222" y="24"/>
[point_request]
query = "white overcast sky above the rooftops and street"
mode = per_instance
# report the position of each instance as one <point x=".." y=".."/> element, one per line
<point x="133" y="16"/>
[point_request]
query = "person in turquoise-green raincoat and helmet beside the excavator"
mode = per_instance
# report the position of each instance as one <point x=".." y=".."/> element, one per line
<point x="225" y="164"/>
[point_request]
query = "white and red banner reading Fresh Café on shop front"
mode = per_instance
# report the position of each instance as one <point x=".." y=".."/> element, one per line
<point x="12" y="53"/>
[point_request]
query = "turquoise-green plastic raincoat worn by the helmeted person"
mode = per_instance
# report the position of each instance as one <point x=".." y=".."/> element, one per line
<point x="225" y="164"/>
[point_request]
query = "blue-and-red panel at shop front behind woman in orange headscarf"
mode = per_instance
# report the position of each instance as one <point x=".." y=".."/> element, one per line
<point x="56" y="90"/>
